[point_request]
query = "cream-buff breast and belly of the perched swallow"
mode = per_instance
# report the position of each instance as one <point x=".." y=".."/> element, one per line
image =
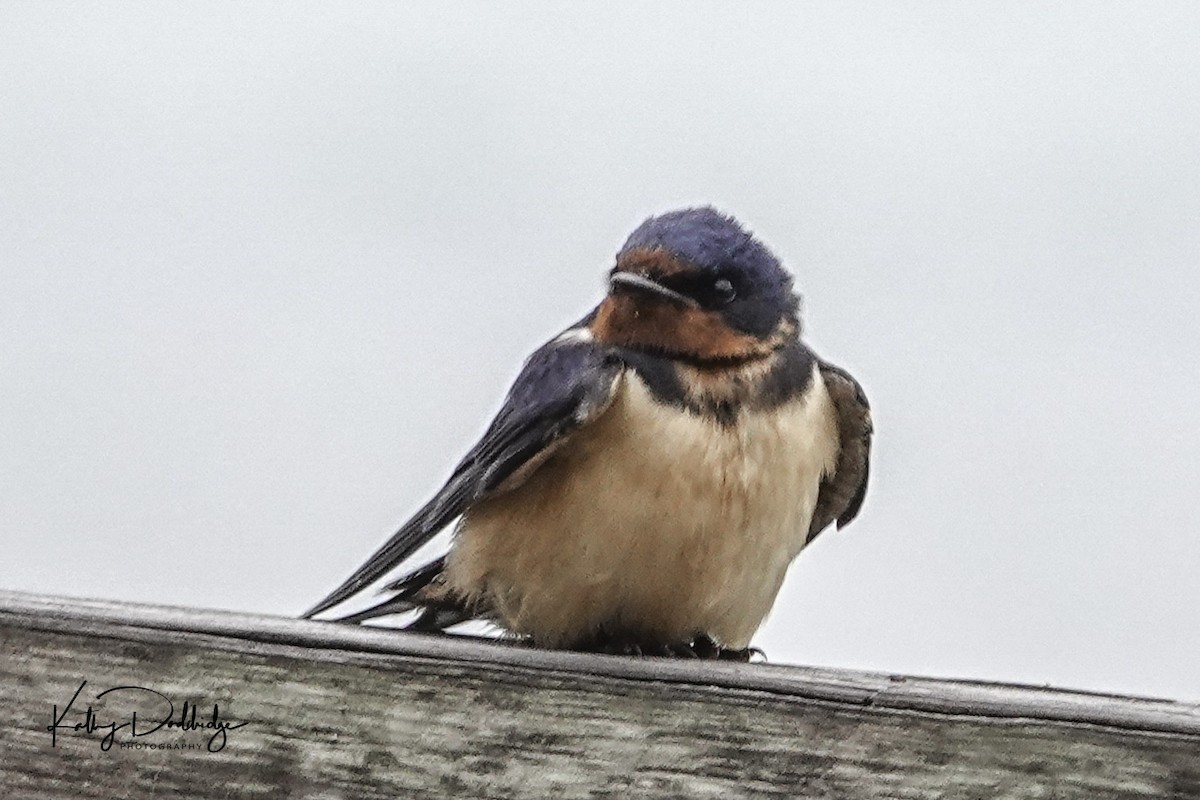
<point x="653" y="524"/>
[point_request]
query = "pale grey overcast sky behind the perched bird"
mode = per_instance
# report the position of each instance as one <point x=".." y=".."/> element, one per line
<point x="268" y="269"/>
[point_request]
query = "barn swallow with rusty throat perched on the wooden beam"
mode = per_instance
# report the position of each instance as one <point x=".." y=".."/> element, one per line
<point x="655" y="470"/>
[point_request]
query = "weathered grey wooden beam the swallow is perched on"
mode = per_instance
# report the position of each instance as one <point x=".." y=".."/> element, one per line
<point x="339" y="712"/>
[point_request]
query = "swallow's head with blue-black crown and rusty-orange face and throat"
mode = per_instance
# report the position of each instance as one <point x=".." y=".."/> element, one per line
<point x="694" y="285"/>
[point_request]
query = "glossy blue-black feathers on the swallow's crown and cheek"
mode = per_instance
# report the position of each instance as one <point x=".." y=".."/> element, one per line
<point x="716" y="248"/>
